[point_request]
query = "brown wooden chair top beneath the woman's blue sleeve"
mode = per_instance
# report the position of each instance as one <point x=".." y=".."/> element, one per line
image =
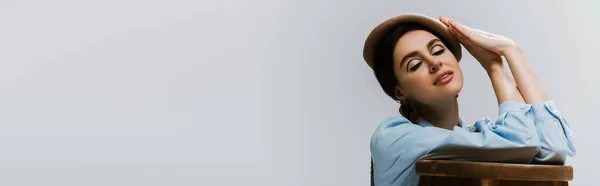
<point x="463" y="173"/>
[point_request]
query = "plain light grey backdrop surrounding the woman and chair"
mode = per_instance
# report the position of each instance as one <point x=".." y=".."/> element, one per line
<point x="264" y="92"/>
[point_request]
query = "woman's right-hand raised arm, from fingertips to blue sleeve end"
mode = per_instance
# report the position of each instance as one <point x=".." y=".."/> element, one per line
<point x="553" y="129"/>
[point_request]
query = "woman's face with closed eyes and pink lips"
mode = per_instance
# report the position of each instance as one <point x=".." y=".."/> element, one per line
<point x="426" y="69"/>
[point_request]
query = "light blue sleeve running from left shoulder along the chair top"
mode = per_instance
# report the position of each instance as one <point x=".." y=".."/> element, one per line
<point x="397" y="143"/>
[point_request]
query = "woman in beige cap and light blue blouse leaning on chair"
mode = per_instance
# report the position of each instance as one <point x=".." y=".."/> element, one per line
<point x="415" y="59"/>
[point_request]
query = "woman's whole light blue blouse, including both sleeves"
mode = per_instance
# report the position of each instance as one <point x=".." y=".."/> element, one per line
<point x="523" y="133"/>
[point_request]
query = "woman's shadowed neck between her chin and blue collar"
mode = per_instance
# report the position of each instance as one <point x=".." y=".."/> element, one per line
<point x="442" y="114"/>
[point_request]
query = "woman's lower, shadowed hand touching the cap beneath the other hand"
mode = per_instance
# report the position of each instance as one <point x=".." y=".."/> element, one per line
<point x="488" y="59"/>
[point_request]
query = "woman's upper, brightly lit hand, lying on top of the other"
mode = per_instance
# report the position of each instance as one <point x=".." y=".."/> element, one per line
<point x="492" y="42"/>
